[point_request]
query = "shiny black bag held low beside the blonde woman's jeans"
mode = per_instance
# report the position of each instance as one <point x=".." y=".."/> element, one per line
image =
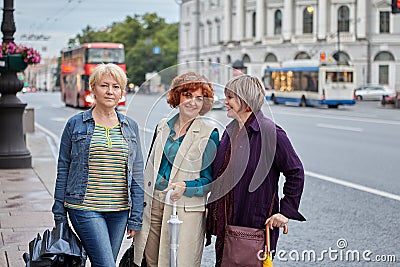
<point x="58" y="247"/>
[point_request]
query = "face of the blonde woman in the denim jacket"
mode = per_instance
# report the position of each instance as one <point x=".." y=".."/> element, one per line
<point x="107" y="92"/>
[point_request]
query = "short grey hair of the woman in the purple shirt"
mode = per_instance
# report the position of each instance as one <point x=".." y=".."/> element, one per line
<point x="249" y="90"/>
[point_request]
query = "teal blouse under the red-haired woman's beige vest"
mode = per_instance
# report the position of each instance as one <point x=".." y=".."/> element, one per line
<point x="195" y="187"/>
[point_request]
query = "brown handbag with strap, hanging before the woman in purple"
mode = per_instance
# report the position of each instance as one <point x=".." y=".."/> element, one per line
<point x="242" y="245"/>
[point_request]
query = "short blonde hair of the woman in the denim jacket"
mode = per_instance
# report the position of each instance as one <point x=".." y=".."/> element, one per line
<point x="115" y="71"/>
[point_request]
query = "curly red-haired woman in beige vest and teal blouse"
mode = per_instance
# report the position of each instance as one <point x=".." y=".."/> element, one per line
<point x="180" y="158"/>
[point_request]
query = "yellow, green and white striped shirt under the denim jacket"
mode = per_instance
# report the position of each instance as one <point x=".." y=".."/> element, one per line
<point x="107" y="186"/>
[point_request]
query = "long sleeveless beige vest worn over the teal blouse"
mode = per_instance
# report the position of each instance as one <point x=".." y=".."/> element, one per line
<point x="186" y="166"/>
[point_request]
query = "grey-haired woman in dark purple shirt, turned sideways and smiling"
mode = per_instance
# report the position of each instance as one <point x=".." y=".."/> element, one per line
<point x="252" y="154"/>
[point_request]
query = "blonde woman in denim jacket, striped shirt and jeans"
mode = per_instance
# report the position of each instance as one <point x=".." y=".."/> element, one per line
<point x="100" y="171"/>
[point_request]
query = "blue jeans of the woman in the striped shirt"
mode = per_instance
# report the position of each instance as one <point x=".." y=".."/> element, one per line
<point x="101" y="234"/>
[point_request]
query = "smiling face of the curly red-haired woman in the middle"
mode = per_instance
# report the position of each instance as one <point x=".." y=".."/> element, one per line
<point x="191" y="102"/>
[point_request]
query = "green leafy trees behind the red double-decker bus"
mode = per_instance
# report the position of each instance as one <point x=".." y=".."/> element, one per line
<point x="139" y="34"/>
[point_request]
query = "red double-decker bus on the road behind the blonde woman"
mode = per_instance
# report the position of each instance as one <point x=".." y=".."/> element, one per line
<point x="78" y="63"/>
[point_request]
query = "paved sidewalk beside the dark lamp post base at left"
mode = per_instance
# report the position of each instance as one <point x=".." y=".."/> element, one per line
<point x="25" y="201"/>
